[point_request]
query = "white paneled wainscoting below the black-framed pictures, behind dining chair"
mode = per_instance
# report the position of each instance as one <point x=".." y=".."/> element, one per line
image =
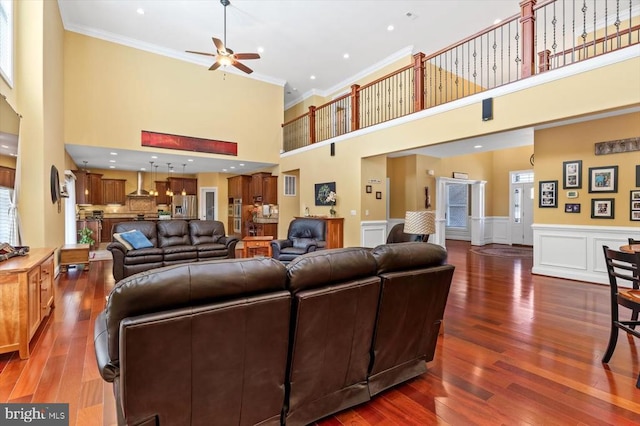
<point x="575" y="252"/>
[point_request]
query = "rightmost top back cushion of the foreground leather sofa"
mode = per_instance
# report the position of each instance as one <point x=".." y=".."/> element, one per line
<point x="401" y="256"/>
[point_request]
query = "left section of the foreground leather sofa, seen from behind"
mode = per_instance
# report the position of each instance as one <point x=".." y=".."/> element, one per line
<point x="199" y="343"/>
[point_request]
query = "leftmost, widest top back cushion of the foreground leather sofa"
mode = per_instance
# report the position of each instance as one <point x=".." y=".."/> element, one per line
<point x="192" y="284"/>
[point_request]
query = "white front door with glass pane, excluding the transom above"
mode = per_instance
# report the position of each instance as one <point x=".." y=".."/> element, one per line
<point x="521" y="213"/>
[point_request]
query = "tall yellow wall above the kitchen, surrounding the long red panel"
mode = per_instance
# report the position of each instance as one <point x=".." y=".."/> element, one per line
<point x="113" y="92"/>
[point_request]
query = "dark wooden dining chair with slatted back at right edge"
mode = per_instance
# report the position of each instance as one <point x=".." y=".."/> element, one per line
<point x="622" y="268"/>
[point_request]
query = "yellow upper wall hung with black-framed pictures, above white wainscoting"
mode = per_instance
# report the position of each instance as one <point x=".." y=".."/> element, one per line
<point x="574" y="142"/>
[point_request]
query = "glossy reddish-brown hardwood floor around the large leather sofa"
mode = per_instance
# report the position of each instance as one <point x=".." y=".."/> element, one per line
<point x="517" y="349"/>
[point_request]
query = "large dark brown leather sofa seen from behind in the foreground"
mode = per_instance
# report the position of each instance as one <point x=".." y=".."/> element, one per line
<point x="255" y="342"/>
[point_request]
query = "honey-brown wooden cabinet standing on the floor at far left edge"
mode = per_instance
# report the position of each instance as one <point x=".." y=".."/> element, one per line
<point x="27" y="295"/>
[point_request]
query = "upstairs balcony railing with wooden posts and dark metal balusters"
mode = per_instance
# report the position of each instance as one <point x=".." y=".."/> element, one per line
<point x="542" y="37"/>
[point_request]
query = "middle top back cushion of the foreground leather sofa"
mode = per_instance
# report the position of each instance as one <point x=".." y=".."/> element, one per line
<point x="325" y="267"/>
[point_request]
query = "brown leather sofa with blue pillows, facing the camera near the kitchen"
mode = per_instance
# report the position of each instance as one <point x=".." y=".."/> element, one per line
<point x="173" y="242"/>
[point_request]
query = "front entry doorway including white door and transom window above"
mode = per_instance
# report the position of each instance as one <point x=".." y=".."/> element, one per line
<point x="521" y="195"/>
